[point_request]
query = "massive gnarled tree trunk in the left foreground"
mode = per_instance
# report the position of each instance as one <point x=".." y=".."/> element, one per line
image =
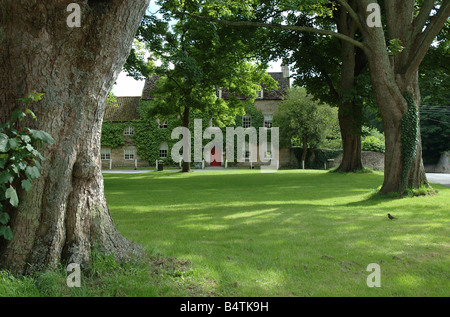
<point x="65" y="214"/>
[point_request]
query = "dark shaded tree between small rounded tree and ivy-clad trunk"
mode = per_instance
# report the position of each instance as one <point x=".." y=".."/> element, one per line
<point x="330" y="70"/>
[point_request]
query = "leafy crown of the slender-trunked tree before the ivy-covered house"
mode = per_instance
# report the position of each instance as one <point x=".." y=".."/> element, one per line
<point x="198" y="59"/>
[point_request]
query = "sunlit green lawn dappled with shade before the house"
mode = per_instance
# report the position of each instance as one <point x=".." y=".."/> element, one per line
<point x="291" y="233"/>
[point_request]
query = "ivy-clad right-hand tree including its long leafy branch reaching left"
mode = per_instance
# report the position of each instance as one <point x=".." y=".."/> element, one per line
<point x="395" y="45"/>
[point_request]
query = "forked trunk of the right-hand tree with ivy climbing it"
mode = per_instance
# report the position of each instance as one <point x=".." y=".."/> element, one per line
<point x="394" y="73"/>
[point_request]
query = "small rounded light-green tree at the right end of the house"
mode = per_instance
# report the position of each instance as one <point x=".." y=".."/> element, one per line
<point x="303" y="121"/>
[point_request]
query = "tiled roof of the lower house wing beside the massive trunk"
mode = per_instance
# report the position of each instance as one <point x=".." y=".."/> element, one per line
<point x="125" y="110"/>
